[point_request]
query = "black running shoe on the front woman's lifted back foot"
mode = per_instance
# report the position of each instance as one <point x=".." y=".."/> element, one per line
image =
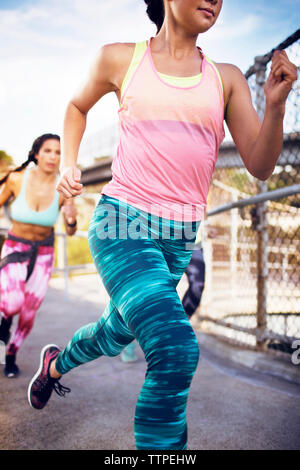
<point x="42" y="385"/>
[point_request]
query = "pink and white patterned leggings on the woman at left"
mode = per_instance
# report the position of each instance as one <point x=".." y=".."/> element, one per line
<point x="21" y="297"/>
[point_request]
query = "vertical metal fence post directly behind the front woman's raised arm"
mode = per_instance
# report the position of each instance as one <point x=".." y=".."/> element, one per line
<point x="262" y="228"/>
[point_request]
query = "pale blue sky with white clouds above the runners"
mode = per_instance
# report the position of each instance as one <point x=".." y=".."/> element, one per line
<point x="47" y="46"/>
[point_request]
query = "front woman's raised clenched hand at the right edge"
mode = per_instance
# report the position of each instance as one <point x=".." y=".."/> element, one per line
<point x="280" y="81"/>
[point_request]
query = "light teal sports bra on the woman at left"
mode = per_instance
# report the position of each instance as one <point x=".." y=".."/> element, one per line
<point x="20" y="212"/>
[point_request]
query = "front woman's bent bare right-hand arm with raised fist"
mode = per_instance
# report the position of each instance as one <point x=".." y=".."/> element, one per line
<point x="259" y="144"/>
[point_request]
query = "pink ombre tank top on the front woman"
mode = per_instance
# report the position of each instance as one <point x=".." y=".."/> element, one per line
<point x="169" y="141"/>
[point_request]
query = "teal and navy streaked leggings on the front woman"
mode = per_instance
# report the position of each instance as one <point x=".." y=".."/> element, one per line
<point x="140" y="263"/>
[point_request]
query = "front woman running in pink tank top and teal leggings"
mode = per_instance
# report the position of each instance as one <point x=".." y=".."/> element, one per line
<point x="173" y="101"/>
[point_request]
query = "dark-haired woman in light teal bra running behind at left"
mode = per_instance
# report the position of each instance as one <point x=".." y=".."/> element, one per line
<point x="27" y="255"/>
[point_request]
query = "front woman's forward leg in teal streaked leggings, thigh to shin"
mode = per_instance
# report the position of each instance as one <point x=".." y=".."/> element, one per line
<point x="140" y="284"/>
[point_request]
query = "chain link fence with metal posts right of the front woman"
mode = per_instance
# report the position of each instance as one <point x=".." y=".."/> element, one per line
<point x="252" y="290"/>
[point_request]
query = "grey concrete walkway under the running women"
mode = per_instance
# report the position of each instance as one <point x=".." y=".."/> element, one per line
<point x="232" y="403"/>
